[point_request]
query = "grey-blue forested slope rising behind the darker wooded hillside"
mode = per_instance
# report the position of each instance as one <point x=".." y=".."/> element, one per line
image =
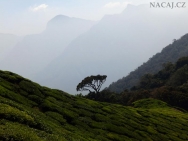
<point x="170" y="53"/>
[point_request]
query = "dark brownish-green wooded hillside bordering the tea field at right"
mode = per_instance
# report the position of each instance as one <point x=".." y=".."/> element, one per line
<point x="169" y="85"/>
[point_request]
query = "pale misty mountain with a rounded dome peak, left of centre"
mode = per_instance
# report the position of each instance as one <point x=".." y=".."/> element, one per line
<point x="36" y="51"/>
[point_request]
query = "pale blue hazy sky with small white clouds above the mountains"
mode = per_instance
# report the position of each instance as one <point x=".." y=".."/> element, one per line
<point x="23" y="17"/>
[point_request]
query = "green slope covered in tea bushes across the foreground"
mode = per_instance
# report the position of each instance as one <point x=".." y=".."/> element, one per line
<point x="30" y="112"/>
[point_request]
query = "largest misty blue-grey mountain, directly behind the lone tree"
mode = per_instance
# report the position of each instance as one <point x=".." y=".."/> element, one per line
<point x="115" y="46"/>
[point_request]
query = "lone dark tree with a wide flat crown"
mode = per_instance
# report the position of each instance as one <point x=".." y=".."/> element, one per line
<point x="93" y="82"/>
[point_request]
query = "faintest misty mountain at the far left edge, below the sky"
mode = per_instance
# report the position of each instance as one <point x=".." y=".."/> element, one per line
<point x="7" y="42"/>
